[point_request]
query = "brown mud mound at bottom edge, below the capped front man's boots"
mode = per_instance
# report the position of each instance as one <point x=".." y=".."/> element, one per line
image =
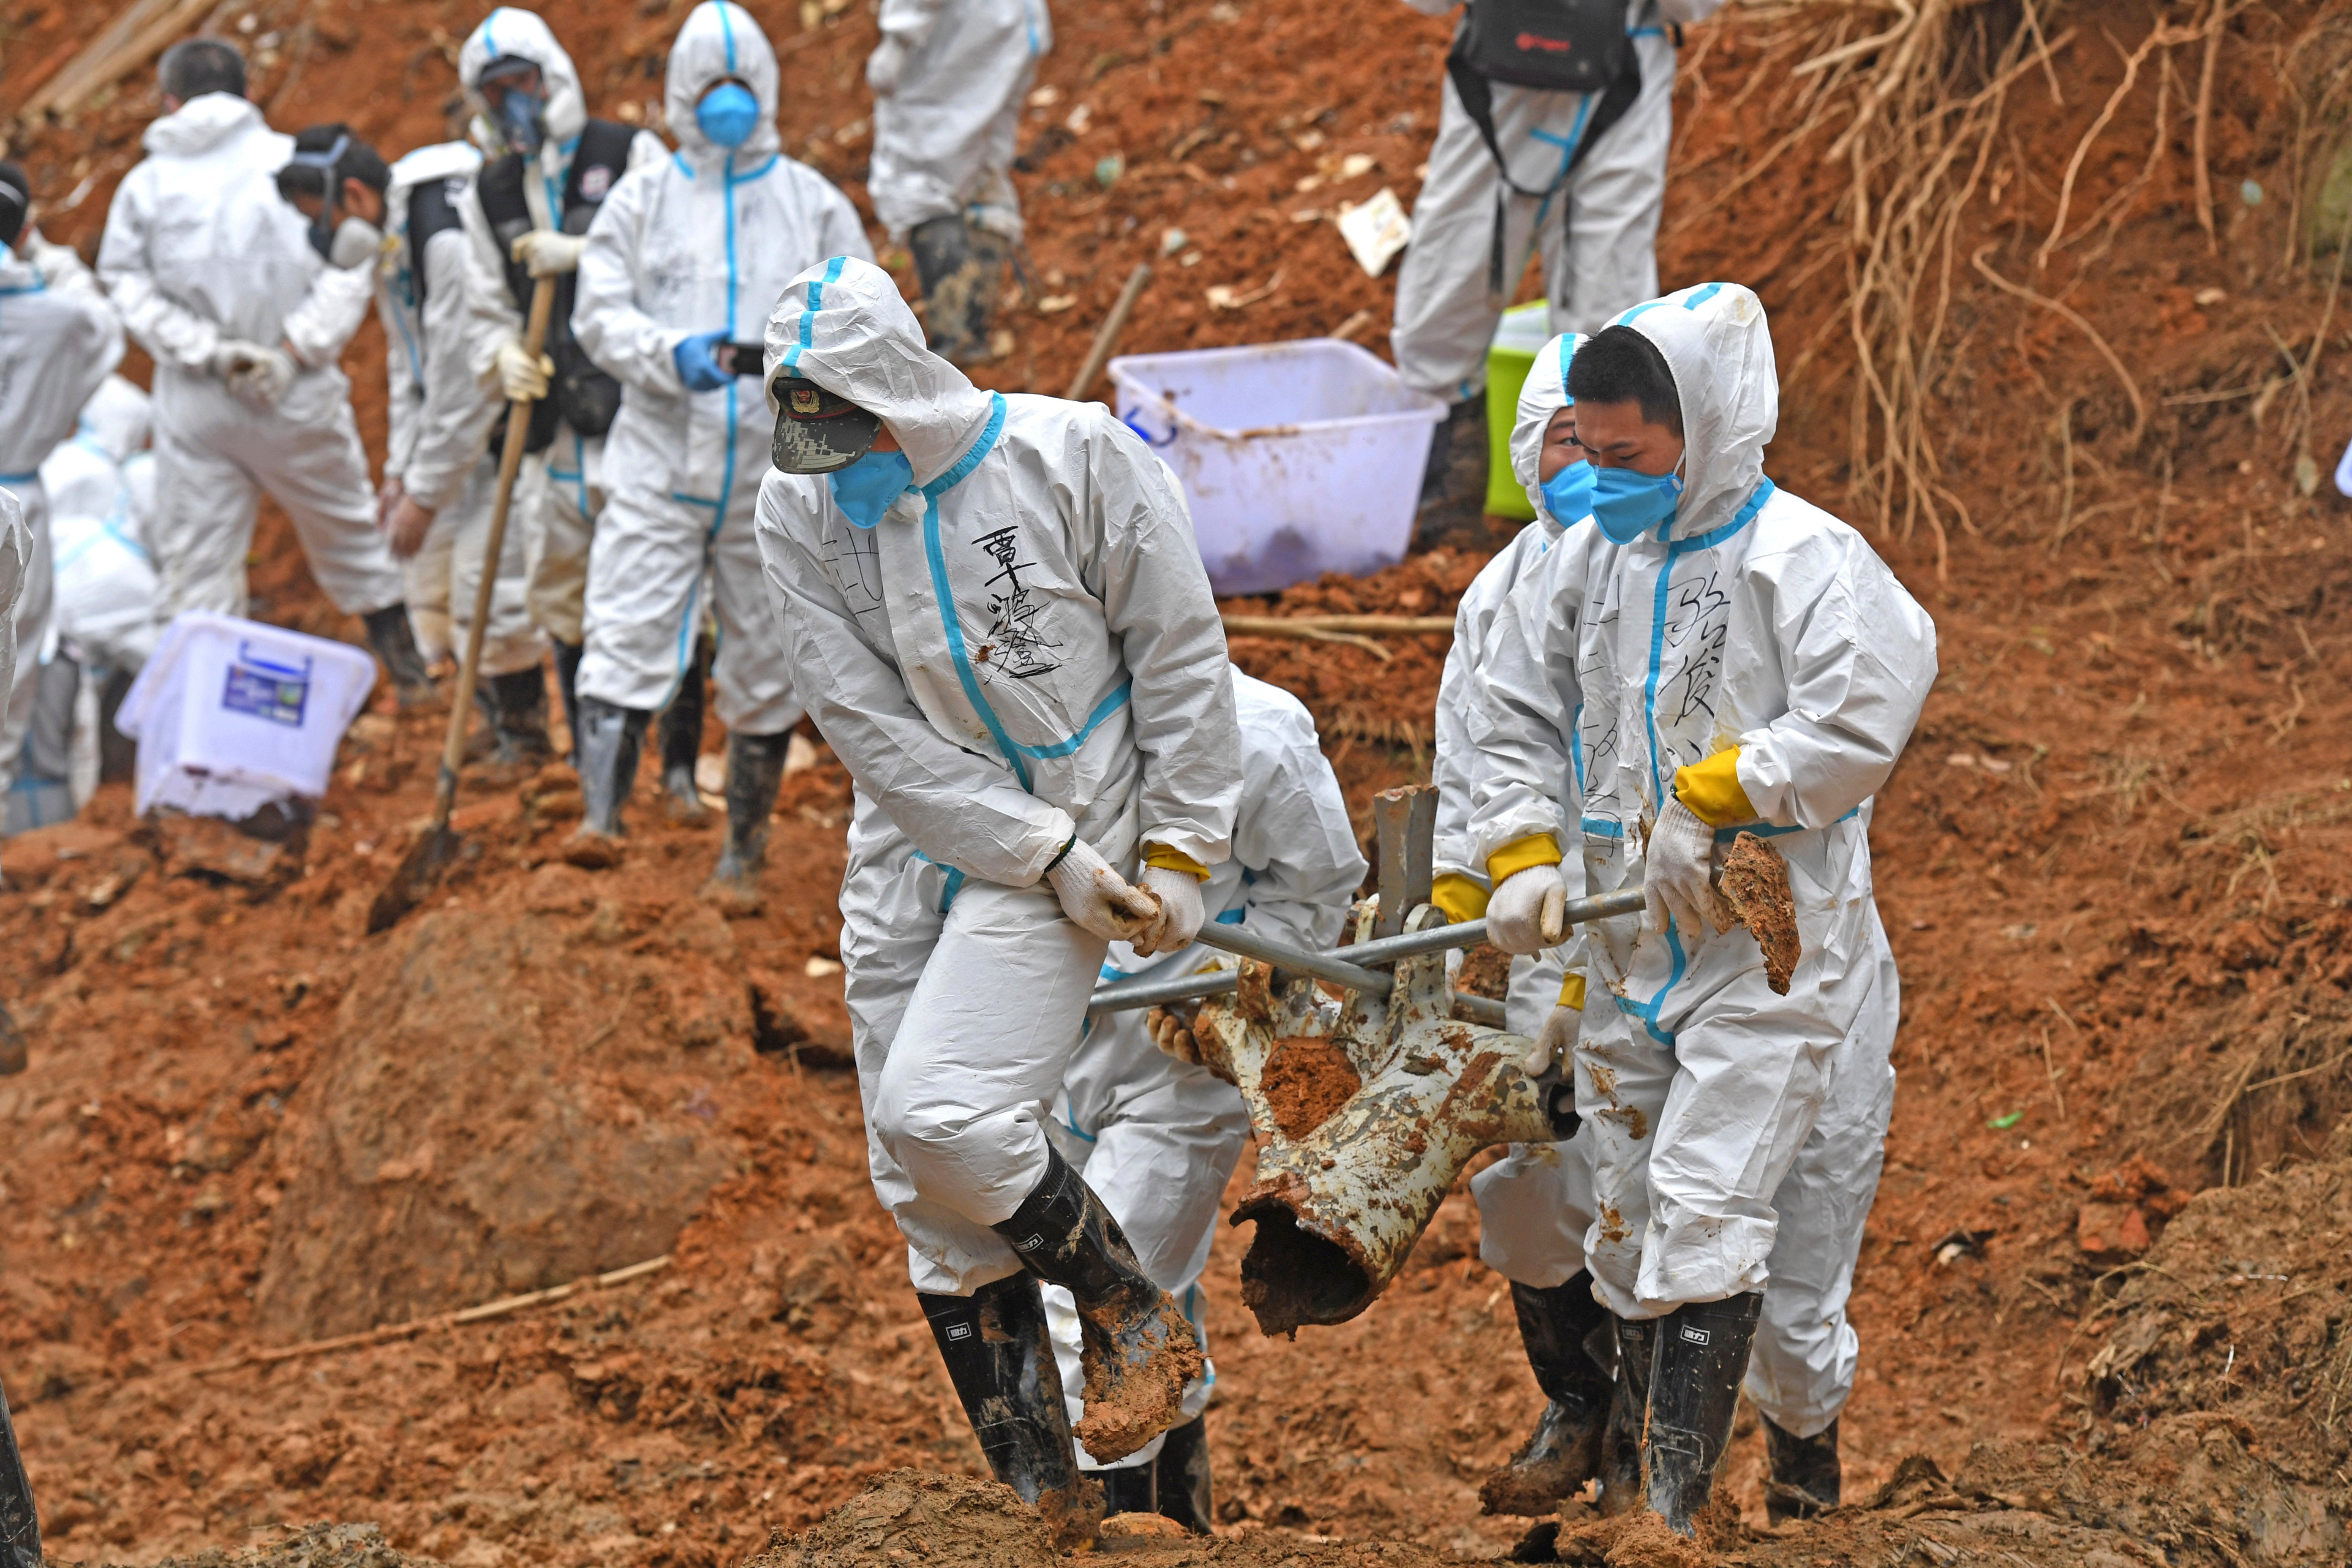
<point x="921" y="1517"/>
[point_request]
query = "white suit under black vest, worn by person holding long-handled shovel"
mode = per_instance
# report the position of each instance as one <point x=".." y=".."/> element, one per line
<point x="573" y="467"/>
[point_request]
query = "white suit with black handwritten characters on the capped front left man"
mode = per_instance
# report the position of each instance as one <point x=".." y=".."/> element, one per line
<point x="1076" y="683"/>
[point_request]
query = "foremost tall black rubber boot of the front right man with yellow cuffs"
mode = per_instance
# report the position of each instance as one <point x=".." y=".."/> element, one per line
<point x="1695" y="1391"/>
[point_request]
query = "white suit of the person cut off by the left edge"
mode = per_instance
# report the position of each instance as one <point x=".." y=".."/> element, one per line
<point x="60" y="340"/>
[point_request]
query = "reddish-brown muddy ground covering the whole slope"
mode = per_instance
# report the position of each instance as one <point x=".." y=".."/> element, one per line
<point x="2104" y="1294"/>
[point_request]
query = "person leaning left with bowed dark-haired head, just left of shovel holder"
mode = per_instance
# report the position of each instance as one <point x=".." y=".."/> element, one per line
<point x="439" y="481"/>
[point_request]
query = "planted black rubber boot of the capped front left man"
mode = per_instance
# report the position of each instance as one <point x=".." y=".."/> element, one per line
<point x="1001" y="1362"/>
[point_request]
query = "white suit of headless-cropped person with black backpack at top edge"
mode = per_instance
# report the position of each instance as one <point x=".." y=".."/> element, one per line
<point x="1596" y="229"/>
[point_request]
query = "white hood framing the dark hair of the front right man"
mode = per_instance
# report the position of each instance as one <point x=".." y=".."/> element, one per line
<point x="1716" y="342"/>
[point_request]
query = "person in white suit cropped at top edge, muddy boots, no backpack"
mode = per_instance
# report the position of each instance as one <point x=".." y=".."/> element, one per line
<point x="949" y="86"/>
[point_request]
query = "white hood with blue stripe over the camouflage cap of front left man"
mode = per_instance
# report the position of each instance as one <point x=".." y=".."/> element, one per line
<point x="846" y="328"/>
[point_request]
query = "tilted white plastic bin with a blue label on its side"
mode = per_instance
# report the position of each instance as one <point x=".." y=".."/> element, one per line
<point x="234" y="716"/>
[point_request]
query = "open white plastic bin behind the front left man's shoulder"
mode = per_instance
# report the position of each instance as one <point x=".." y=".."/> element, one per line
<point x="1297" y="457"/>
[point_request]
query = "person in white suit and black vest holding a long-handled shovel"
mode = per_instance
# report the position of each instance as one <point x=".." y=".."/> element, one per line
<point x="528" y="217"/>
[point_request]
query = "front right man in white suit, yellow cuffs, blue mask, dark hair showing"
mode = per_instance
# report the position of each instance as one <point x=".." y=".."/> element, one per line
<point x="1735" y="659"/>
